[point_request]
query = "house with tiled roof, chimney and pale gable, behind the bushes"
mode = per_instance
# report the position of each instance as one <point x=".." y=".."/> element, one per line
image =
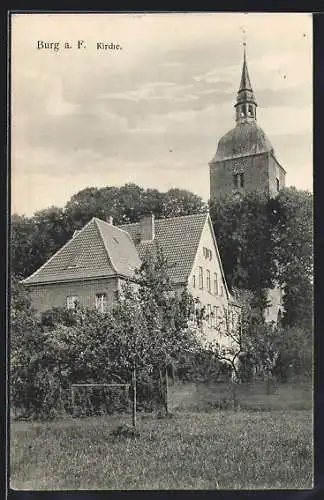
<point x="91" y="267"/>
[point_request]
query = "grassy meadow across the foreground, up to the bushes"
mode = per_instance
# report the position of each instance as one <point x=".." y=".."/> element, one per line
<point x="266" y="444"/>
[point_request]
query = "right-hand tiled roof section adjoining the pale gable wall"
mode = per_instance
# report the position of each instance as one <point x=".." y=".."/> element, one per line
<point x="178" y="238"/>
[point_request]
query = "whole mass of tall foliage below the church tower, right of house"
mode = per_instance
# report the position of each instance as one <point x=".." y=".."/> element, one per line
<point x="265" y="242"/>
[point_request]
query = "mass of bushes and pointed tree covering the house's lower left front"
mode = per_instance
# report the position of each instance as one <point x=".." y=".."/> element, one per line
<point x="144" y="330"/>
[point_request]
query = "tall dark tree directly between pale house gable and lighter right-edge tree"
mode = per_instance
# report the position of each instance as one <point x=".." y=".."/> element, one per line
<point x="243" y="227"/>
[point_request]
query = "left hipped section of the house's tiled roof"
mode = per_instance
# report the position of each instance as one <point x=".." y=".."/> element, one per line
<point x="99" y="249"/>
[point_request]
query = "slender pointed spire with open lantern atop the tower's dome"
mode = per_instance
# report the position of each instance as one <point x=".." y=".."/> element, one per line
<point x="245" y="102"/>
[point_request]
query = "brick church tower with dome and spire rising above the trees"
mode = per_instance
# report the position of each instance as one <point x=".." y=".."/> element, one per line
<point x="245" y="160"/>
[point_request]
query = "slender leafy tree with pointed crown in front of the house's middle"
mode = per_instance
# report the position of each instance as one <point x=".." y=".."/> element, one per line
<point x="162" y="318"/>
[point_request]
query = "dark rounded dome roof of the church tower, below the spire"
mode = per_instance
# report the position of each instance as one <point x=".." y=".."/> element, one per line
<point x="247" y="138"/>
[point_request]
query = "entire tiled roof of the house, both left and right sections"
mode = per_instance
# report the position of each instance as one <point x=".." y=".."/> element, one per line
<point x="102" y="250"/>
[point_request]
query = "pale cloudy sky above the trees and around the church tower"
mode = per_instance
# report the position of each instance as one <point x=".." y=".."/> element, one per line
<point x="151" y="113"/>
